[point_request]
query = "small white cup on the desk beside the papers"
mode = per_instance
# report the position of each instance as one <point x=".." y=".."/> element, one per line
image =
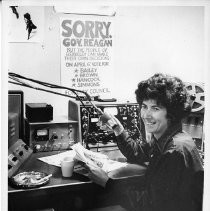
<point x="67" y="166"/>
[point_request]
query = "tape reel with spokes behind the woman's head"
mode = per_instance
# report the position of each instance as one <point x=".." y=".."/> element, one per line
<point x="196" y="90"/>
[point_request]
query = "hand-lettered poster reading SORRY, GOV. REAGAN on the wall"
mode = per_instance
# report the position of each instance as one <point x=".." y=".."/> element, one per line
<point x="87" y="54"/>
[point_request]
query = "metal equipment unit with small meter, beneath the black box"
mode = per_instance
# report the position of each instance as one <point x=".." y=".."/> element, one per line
<point x="56" y="135"/>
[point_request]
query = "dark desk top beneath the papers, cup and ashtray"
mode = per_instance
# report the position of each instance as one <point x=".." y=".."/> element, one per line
<point x="77" y="183"/>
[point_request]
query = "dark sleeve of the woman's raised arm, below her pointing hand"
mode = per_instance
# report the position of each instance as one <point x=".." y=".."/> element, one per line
<point x="136" y="151"/>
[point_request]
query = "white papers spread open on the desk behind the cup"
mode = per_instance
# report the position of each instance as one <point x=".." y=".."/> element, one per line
<point x="86" y="156"/>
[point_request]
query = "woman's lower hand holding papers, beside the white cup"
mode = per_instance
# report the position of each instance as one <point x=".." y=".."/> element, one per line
<point x="97" y="175"/>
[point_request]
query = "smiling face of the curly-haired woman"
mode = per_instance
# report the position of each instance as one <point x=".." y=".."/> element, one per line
<point x="154" y="117"/>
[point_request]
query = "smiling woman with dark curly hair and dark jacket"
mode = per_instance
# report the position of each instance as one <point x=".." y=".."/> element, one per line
<point x="174" y="175"/>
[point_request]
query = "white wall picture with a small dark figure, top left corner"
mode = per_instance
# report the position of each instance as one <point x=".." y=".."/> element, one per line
<point x="26" y="23"/>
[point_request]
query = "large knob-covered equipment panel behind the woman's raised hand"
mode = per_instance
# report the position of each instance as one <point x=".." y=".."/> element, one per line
<point x="90" y="134"/>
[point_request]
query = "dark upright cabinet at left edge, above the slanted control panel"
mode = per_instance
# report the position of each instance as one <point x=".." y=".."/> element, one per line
<point x="15" y="114"/>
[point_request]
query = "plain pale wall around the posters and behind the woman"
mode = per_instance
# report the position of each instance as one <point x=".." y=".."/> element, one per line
<point x="149" y="39"/>
